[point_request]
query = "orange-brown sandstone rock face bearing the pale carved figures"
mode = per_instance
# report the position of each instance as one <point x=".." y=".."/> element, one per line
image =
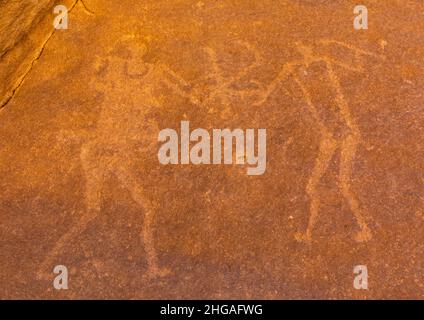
<point x="81" y="184"/>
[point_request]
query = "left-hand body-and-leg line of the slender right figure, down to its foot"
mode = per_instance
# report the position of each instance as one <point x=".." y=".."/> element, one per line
<point x="326" y="151"/>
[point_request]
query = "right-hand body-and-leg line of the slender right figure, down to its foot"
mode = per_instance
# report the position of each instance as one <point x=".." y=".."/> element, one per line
<point x="347" y="155"/>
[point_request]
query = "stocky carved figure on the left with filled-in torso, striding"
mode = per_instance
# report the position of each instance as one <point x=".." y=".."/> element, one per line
<point x="123" y="132"/>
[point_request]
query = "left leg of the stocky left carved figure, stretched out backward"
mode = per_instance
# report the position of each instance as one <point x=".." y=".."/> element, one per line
<point x="93" y="189"/>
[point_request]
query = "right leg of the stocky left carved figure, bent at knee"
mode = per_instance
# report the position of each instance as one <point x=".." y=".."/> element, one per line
<point x="138" y="195"/>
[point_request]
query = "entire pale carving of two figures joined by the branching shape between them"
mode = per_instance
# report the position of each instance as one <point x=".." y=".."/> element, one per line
<point x="122" y="125"/>
